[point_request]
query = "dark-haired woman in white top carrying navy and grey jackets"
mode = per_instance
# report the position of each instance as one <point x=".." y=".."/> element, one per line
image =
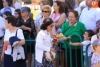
<point x="9" y="54"/>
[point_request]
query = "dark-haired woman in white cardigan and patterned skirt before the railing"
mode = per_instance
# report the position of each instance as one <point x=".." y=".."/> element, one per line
<point x="44" y="44"/>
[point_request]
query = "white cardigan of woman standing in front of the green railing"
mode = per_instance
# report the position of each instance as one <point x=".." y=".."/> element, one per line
<point x="43" y="43"/>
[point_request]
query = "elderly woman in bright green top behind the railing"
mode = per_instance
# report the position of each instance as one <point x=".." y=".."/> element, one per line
<point x="68" y="29"/>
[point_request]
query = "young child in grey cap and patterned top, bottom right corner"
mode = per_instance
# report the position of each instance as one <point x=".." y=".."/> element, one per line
<point x="95" y="61"/>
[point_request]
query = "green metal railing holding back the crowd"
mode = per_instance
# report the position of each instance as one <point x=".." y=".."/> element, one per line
<point x="69" y="53"/>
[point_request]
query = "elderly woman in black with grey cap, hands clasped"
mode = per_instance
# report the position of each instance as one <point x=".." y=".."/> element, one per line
<point x="28" y="27"/>
